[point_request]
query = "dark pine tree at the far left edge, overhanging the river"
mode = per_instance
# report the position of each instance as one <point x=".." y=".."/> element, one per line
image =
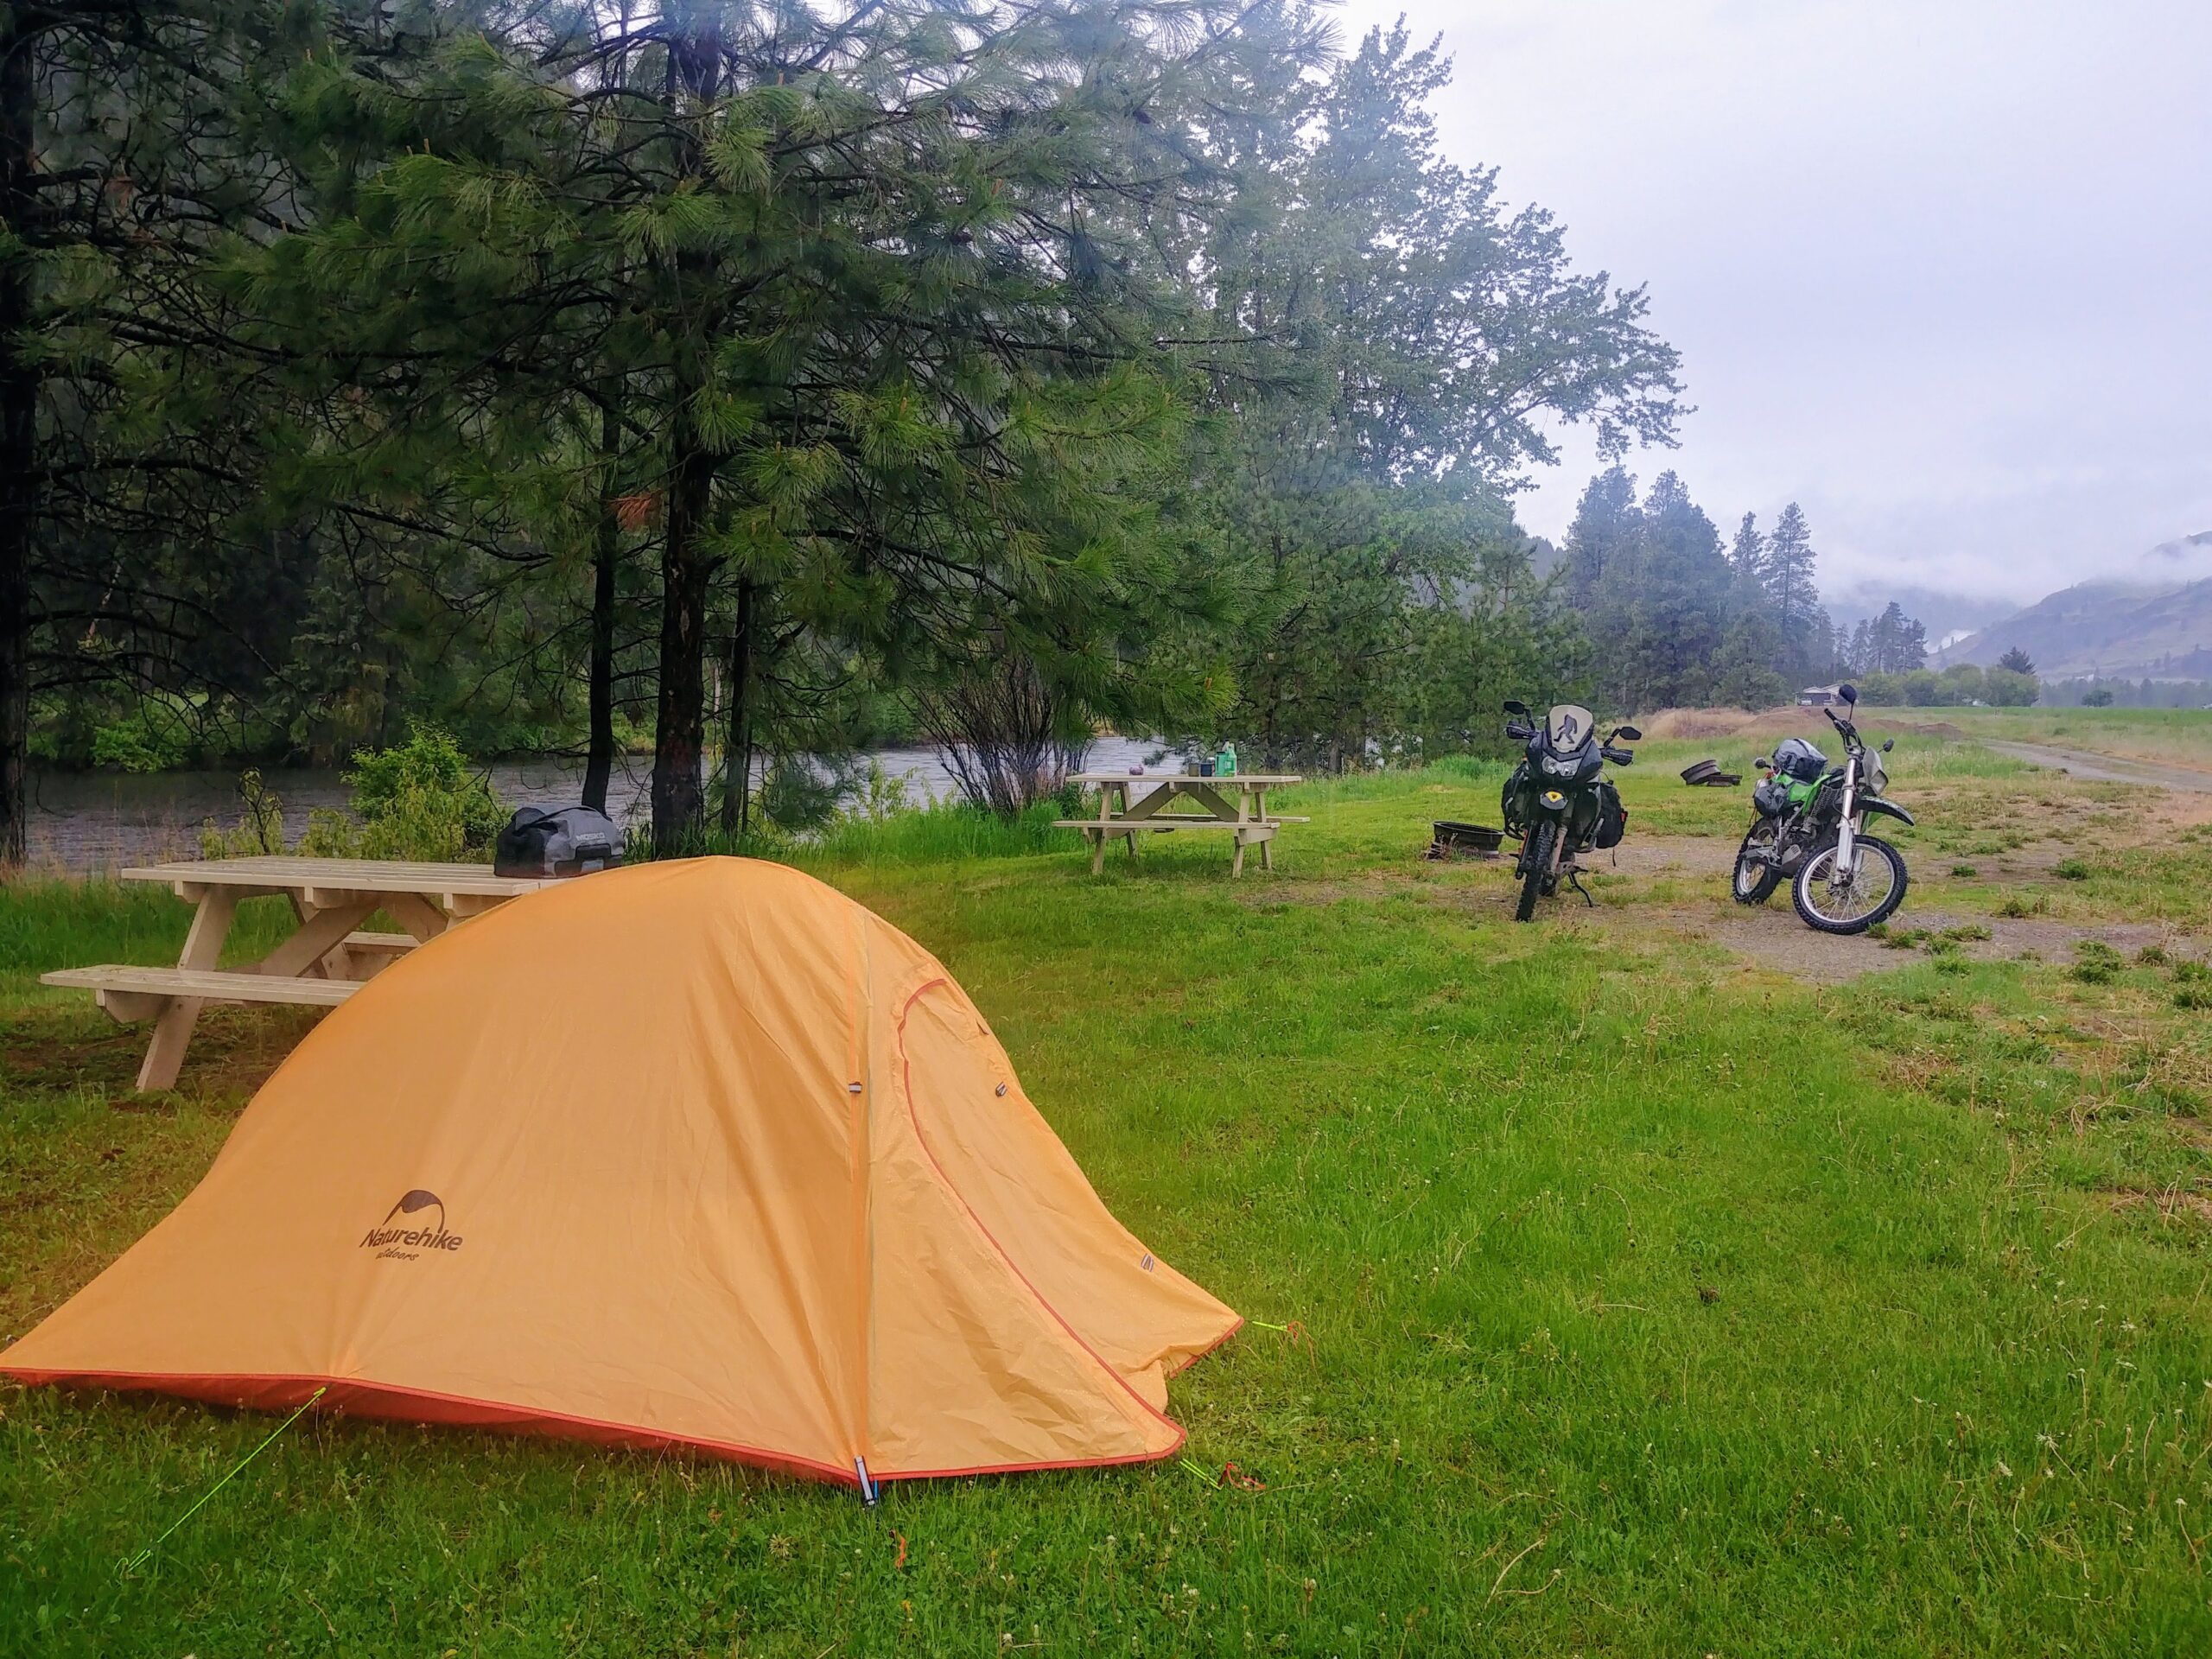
<point x="127" y="428"/>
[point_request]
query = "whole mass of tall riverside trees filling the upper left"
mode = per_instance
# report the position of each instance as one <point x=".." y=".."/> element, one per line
<point x="762" y="379"/>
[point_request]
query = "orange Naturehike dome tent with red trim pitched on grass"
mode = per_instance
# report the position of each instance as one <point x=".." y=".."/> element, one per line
<point x="680" y="1156"/>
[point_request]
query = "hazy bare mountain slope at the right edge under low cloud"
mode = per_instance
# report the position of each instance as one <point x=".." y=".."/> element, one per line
<point x="2116" y="629"/>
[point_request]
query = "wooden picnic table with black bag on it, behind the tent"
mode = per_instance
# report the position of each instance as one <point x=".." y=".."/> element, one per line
<point x="320" y="966"/>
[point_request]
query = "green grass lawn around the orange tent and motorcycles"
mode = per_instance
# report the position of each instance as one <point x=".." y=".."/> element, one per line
<point x="1645" y="1302"/>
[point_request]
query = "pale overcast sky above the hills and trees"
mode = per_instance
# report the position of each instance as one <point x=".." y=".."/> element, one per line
<point x="1939" y="269"/>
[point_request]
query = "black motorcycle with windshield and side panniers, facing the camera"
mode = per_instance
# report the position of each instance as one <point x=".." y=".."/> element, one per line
<point x="1561" y="802"/>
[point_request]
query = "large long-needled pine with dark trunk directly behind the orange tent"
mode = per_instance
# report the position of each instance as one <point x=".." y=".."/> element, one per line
<point x="864" y="286"/>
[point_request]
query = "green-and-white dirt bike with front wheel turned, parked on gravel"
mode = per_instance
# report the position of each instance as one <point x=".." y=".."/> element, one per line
<point x="1811" y="831"/>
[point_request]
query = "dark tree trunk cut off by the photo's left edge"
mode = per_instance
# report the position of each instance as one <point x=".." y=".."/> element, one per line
<point x="19" y="419"/>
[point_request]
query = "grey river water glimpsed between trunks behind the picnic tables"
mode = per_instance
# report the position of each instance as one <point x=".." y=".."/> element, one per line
<point x="90" y="822"/>
